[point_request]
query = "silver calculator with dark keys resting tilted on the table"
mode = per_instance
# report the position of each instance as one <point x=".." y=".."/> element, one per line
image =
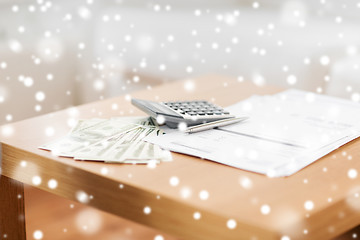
<point x="189" y="112"/>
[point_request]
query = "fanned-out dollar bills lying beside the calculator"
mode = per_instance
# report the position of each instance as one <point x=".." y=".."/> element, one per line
<point x="115" y="140"/>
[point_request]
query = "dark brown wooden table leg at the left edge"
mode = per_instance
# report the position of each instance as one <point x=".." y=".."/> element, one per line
<point x="12" y="214"/>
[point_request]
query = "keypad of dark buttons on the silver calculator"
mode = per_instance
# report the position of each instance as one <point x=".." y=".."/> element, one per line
<point x="196" y="108"/>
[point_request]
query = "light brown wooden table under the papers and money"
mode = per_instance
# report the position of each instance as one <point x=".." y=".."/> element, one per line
<point x="125" y="190"/>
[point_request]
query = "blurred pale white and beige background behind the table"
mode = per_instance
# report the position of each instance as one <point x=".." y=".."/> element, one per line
<point x="61" y="53"/>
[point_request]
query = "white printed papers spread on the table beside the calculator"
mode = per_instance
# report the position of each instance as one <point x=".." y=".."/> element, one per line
<point x="284" y="133"/>
